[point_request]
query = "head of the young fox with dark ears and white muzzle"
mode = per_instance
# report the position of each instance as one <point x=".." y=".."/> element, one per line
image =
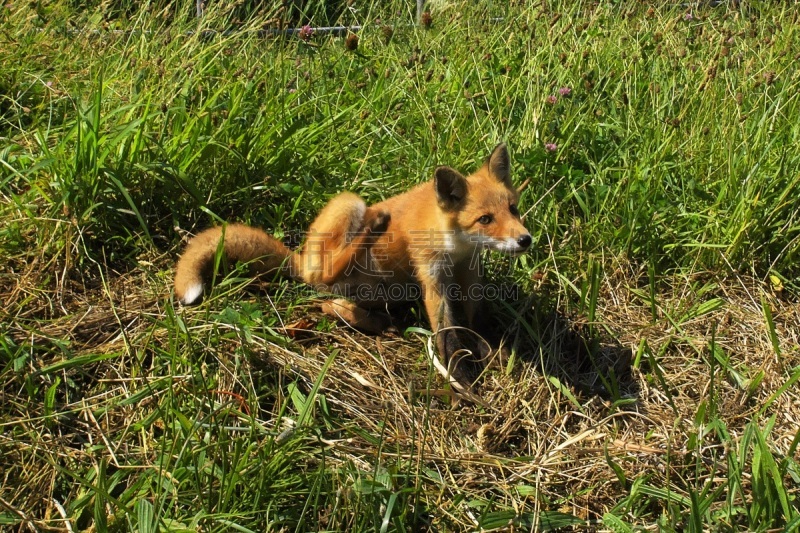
<point x="482" y="208"/>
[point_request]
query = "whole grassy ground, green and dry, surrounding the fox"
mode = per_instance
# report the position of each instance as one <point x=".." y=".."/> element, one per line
<point x="654" y="382"/>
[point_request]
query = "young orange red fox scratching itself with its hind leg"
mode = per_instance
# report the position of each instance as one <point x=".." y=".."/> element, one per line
<point x="424" y="243"/>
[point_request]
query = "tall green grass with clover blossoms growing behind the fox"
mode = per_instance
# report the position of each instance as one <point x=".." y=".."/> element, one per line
<point x="674" y="145"/>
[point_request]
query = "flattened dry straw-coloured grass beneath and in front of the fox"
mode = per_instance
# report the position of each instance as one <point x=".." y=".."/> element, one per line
<point x="534" y="444"/>
